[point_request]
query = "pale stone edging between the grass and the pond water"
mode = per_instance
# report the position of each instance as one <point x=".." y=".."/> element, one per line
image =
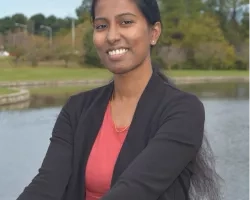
<point x="23" y="95"/>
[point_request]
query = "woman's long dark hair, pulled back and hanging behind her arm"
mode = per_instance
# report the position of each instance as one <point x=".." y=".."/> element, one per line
<point x="205" y="182"/>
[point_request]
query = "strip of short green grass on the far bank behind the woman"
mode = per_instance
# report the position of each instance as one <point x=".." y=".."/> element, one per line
<point x="57" y="73"/>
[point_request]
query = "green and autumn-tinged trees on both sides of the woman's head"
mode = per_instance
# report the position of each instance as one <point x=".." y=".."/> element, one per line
<point x="207" y="32"/>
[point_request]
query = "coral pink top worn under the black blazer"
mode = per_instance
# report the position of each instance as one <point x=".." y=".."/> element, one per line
<point x="103" y="157"/>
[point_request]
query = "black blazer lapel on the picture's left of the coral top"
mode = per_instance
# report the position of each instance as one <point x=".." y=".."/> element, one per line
<point x="85" y="135"/>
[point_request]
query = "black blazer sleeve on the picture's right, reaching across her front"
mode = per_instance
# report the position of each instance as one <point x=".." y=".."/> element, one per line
<point x="167" y="154"/>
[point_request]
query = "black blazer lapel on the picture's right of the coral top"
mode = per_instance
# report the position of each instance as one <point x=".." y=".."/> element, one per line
<point x="138" y="132"/>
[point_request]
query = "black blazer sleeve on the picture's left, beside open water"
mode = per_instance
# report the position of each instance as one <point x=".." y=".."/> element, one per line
<point x="53" y="175"/>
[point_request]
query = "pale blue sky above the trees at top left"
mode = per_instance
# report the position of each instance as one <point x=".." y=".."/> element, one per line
<point x="59" y="8"/>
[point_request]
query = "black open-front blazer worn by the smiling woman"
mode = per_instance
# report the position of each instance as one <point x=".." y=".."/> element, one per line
<point x="156" y="160"/>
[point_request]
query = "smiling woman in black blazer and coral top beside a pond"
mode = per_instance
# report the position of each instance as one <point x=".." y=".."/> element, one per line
<point x="138" y="137"/>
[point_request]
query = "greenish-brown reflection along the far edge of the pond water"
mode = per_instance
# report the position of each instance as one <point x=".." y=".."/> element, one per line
<point x="204" y="90"/>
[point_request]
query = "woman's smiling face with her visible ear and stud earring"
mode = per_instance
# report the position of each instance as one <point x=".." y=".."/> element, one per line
<point x="121" y="35"/>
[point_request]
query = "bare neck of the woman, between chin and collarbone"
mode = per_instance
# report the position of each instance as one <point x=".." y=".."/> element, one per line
<point x="130" y="86"/>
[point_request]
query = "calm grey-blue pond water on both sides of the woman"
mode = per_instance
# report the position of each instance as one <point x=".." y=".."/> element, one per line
<point x="227" y="125"/>
